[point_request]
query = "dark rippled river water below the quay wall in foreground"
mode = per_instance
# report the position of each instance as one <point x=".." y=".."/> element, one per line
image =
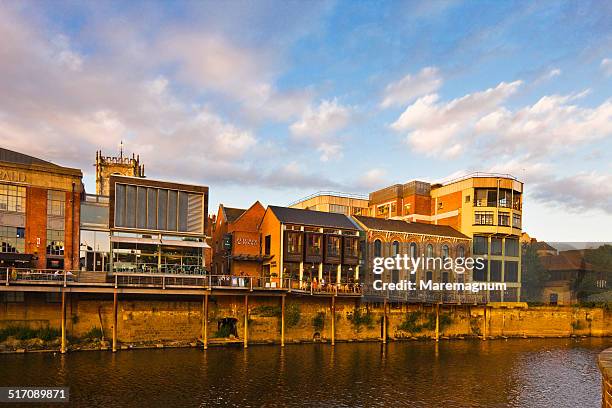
<point x="470" y="373"/>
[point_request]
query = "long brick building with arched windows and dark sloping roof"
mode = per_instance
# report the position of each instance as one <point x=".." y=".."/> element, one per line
<point x="388" y="238"/>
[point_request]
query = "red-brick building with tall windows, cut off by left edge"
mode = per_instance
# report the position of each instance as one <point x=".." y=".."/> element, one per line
<point x="39" y="212"/>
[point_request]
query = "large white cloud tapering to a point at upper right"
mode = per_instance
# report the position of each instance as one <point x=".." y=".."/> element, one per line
<point x="442" y="128"/>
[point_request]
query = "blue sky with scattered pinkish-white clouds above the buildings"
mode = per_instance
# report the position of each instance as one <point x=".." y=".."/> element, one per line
<point x="275" y="100"/>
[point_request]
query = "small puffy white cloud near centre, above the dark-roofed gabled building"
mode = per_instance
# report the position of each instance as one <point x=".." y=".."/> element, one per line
<point x="319" y="126"/>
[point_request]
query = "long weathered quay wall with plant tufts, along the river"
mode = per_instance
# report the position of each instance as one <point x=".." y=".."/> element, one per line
<point x="165" y="318"/>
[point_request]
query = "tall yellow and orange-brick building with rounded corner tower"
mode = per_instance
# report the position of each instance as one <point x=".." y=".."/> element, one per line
<point x="485" y="207"/>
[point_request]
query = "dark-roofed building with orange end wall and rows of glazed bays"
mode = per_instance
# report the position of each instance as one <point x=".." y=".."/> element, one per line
<point x="306" y="245"/>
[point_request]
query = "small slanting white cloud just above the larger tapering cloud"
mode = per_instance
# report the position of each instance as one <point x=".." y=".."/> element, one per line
<point x="410" y="87"/>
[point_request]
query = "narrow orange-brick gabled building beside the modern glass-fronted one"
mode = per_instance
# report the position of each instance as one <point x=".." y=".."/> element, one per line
<point x="237" y="241"/>
